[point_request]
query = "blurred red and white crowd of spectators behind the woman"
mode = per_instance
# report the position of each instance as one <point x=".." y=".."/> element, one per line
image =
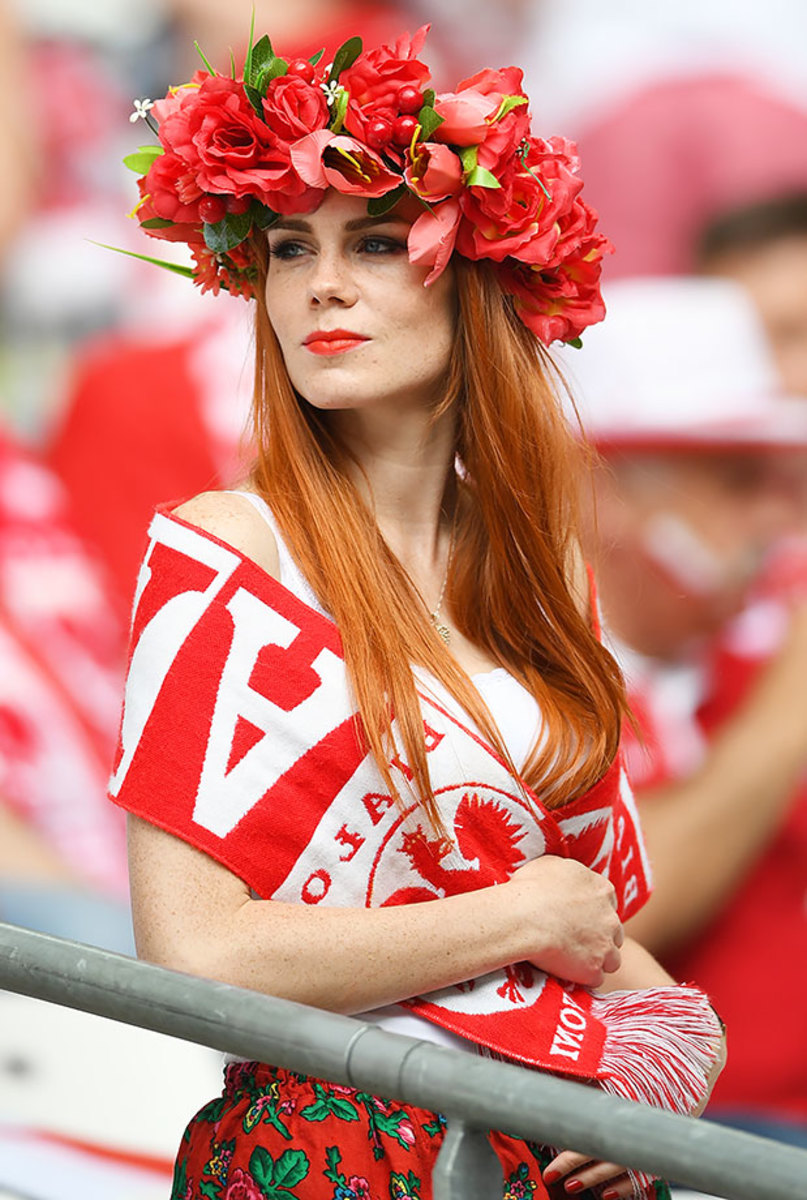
<point x="117" y="395"/>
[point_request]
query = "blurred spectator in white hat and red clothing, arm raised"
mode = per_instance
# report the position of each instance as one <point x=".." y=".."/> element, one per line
<point x="702" y="477"/>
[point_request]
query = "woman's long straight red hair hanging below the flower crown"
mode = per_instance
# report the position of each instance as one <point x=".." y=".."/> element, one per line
<point x="510" y="586"/>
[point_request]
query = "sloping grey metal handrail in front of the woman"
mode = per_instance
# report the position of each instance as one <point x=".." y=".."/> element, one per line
<point x="480" y="1093"/>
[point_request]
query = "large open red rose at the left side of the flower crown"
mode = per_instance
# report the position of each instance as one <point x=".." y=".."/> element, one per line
<point x="231" y="151"/>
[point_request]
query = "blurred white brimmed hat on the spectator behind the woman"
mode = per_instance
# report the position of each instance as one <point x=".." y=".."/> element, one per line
<point x="680" y="364"/>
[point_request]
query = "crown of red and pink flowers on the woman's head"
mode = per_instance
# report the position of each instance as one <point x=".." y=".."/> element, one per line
<point x="237" y="153"/>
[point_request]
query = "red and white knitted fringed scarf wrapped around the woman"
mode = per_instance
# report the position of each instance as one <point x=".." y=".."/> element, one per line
<point x="240" y="736"/>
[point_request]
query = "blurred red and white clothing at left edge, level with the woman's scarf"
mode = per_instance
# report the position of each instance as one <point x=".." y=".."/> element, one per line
<point x="62" y="645"/>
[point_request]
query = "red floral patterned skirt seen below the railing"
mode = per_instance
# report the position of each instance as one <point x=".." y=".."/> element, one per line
<point x="274" y="1135"/>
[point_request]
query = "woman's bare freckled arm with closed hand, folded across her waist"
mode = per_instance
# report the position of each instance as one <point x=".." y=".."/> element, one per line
<point x="194" y="915"/>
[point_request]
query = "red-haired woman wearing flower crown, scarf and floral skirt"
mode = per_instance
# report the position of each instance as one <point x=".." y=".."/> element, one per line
<point x="350" y="677"/>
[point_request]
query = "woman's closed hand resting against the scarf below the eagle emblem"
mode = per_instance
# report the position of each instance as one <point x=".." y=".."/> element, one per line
<point x="570" y="914"/>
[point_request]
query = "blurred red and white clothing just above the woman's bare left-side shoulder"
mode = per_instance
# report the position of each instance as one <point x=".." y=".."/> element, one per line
<point x="150" y="421"/>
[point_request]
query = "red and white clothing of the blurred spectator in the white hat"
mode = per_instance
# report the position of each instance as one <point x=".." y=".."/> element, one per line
<point x="756" y="947"/>
